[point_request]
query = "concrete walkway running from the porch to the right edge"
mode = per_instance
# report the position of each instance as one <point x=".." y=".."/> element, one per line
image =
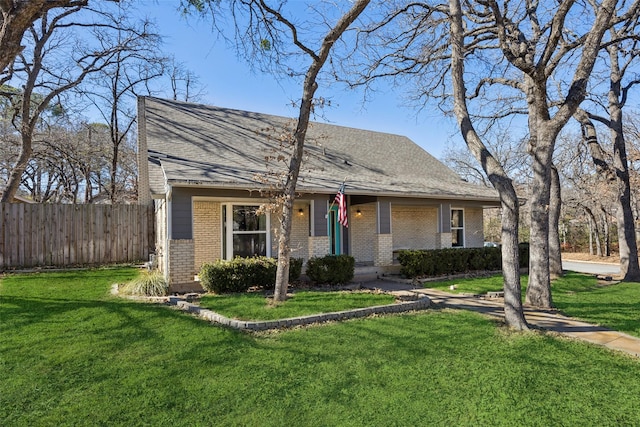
<point x="547" y="320"/>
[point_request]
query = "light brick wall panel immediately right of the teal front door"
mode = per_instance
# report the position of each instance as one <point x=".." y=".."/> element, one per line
<point x="363" y="232"/>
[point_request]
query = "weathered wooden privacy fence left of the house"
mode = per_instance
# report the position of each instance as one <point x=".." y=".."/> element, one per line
<point x="64" y="235"/>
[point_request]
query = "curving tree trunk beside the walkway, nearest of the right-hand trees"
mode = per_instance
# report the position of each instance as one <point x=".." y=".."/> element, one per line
<point x="513" y="311"/>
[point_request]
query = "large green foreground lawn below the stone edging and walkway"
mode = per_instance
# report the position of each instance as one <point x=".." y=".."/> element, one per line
<point x="71" y="354"/>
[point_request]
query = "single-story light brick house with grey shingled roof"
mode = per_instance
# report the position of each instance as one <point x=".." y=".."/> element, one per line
<point x="208" y="171"/>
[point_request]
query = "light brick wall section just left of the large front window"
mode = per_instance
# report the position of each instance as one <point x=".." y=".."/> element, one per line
<point x="207" y="232"/>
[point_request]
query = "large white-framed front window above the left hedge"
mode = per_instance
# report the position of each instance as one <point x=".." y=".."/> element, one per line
<point x="245" y="232"/>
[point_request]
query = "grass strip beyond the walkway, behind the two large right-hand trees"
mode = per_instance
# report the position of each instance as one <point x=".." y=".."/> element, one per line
<point x="616" y="306"/>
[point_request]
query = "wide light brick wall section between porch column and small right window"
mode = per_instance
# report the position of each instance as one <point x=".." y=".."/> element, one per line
<point x="414" y="227"/>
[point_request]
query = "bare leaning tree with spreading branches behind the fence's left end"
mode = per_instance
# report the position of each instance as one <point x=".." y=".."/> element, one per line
<point x="54" y="62"/>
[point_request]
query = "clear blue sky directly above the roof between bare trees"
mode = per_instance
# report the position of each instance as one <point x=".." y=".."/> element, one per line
<point x="230" y="83"/>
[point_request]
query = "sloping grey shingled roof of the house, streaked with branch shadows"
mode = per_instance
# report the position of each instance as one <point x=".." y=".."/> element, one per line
<point x="194" y="144"/>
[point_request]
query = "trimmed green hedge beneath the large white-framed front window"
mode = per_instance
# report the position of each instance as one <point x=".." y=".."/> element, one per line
<point x="240" y="274"/>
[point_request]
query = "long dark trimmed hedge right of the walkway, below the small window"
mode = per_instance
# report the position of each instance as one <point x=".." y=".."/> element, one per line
<point x="436" y="262"/>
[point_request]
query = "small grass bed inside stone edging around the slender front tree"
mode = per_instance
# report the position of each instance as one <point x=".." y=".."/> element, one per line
<point x="254" y="306"/>
